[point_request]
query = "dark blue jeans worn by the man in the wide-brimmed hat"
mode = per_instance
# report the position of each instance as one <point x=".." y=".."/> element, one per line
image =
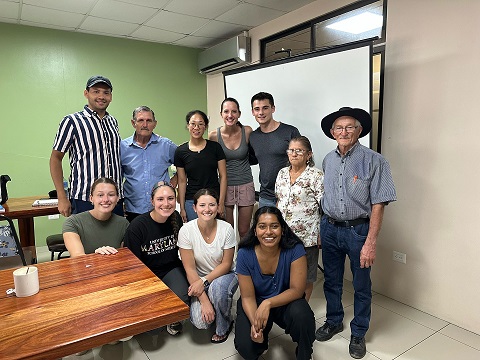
<point x="337" y="242"/>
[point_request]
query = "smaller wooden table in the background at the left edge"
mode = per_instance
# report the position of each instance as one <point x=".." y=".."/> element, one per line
<point x="22" y="210"/>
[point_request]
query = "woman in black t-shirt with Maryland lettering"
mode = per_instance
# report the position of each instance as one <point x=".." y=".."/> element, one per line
<point x="153" y="237"/>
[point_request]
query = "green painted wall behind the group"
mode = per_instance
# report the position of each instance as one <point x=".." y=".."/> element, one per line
<point x="42" y="77"/>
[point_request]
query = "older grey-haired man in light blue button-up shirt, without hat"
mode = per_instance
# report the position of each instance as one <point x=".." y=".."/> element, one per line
<point x="146" y="158"/>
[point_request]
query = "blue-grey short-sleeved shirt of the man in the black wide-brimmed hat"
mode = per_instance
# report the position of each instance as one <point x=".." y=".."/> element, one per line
<point x="354" y="182"/>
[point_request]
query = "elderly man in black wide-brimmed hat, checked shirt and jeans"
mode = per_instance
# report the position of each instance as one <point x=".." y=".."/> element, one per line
<point x="358" y="184"/>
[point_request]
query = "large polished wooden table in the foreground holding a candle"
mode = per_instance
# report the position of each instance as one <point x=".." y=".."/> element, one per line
<point x="83" y="303"/>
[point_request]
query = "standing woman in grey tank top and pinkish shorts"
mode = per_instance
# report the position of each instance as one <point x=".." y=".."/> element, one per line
<point x="233" y="137"/>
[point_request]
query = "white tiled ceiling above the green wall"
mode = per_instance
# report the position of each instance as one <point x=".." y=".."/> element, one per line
<point x="191" y="23"/>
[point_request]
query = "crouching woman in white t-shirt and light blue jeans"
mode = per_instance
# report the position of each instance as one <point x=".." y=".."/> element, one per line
<point x="207" y="248"/>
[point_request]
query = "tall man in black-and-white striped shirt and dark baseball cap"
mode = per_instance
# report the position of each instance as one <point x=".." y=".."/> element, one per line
<point x="93" y="143"/>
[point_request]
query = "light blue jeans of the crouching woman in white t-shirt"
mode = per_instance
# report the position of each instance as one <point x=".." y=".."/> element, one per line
<point x="220" y="293"/>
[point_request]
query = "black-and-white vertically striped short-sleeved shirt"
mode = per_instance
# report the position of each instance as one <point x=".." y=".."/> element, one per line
<point x="93" y="146"/>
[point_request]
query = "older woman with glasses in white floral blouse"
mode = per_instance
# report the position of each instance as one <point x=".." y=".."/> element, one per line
<point x="299" y="189"/>
